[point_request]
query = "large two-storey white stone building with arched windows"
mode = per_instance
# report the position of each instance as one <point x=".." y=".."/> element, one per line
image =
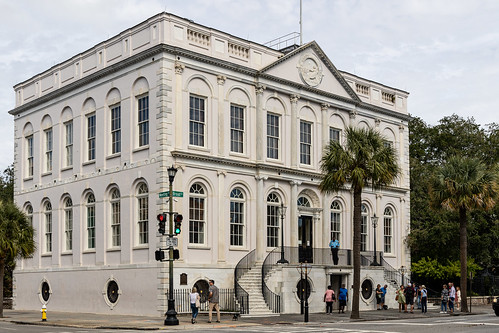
<point x="244" y="124"/>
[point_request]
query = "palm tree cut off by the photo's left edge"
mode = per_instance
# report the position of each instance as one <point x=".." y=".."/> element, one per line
<point x="16" y="238"/>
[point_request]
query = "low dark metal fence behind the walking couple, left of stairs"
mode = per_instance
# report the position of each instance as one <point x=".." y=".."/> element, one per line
<point x="227" y="300"/>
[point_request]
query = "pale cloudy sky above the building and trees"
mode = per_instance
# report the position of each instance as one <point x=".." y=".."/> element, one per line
<point x="445" y="53"/>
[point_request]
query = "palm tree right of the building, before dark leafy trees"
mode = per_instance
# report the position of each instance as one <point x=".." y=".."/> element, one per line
<point x="463" y="184"/>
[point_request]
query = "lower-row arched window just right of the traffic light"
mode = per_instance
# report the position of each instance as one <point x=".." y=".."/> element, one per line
<point x="197" y="214"/>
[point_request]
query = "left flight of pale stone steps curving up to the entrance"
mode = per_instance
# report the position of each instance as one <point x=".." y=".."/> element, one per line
<point x="251" y="281"/>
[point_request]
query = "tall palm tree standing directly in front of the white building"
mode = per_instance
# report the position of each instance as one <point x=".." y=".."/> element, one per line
<point x="365" y="160"/>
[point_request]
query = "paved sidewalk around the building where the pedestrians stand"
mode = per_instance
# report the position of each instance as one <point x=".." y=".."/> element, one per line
<point x="104" y="321"/>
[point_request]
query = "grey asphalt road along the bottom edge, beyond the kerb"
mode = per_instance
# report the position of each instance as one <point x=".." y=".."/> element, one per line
<point x="484" y="323"/>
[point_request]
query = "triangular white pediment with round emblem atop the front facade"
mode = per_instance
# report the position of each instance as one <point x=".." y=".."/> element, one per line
<point x="309" y="66"/>
